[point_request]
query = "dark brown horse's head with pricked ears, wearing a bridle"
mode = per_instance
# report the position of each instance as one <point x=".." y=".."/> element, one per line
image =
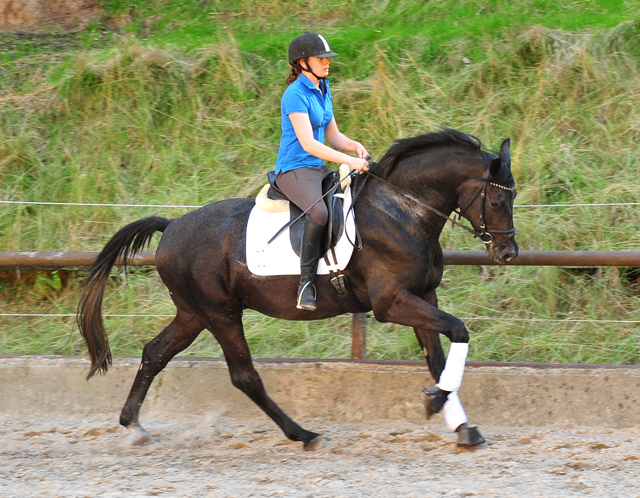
<point x="487" y="202"/>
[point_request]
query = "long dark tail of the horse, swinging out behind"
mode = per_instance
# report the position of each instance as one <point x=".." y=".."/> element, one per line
<point x="125" y="245"/>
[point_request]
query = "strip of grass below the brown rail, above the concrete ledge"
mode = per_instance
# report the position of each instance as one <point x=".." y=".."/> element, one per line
<point x="505" y="326"/>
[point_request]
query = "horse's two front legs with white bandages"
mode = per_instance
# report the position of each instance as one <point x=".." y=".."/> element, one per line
<point x="428" y="322"/>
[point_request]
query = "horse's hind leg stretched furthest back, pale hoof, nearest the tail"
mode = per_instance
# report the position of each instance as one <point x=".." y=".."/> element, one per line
<point x="176" y="337"/>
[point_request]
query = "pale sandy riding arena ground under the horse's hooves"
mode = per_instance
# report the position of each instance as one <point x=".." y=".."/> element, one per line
<point x="228" y="458"/>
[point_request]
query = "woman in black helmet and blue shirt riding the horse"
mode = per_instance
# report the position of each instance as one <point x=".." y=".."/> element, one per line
<point x="307" y="121"/>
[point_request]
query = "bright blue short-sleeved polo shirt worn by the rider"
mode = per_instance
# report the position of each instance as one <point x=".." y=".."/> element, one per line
<point x="302" y="96"/>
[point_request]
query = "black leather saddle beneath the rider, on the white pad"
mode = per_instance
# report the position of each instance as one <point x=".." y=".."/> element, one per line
<point x="334" y="203"/>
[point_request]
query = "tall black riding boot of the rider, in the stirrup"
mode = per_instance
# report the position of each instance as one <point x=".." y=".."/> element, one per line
<point x="309" y="257"/>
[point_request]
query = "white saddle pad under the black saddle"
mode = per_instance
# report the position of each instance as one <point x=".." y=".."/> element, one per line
<point x="278" y="257"/>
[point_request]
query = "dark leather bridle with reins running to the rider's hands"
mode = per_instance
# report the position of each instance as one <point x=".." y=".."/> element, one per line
<point x="485" y="235"/>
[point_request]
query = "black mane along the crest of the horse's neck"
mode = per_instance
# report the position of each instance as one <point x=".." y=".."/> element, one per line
<point x="405" y="146"/>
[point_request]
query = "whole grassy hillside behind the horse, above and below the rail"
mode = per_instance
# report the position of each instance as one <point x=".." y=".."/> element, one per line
<point x="177" y="103"/>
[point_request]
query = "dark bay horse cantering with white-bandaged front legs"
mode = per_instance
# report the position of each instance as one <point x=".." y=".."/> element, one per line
<point x="400" y="211"/>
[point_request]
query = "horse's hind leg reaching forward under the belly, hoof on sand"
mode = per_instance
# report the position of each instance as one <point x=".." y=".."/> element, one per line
<point x="230" y="335"/>
